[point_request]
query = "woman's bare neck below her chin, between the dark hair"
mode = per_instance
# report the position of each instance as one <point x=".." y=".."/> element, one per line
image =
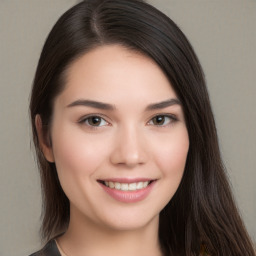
<point x="84" y="237"/>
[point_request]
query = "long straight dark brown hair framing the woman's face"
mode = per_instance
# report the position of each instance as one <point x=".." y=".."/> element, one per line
<point x="202" y="211"/>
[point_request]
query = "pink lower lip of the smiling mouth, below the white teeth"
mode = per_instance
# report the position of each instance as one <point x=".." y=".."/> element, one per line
<point x="128" y="196"/>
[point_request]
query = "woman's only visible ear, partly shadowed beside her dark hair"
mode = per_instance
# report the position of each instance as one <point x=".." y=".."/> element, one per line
<point x="44" y="140"/>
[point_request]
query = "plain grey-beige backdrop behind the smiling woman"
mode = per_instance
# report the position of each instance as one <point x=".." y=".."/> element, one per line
<point x="224" y="37"/>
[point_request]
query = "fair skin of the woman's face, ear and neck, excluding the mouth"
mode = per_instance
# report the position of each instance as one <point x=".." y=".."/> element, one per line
<point x="126" y="143"/>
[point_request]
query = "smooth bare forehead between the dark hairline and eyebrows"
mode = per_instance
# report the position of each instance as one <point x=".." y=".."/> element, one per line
<point x="114" y="73"/>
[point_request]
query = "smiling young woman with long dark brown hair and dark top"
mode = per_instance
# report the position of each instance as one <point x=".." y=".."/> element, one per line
<point x="126" y="140"/>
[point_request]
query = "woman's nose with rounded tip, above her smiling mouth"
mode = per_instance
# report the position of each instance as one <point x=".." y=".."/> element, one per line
<point x="129" y="148"/>
